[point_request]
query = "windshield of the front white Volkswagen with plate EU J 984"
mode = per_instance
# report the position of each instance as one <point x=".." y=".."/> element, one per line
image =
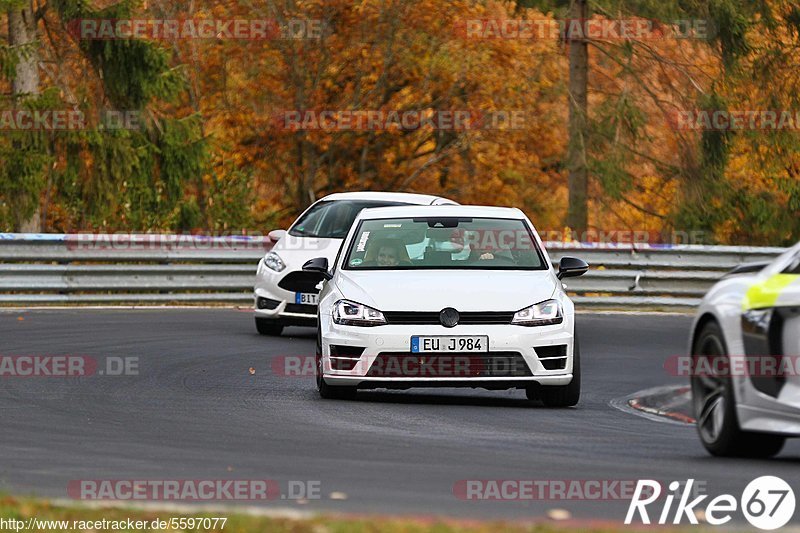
<point x="443" y="243"/>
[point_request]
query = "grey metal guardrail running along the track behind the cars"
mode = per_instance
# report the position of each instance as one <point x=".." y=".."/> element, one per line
<point x="46" y="269"/>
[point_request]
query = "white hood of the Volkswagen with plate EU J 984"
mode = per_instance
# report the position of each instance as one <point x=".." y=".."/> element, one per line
<point x="433" y="290"/>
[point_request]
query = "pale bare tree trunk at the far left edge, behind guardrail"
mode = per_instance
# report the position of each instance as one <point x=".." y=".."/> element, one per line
<point x="22" y="34"/>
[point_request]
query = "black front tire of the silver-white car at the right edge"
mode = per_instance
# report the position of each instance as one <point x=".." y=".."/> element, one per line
<point x="714" y="406"/>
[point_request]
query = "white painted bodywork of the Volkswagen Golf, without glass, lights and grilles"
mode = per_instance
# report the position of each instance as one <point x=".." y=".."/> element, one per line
<point x="433" y="290"/>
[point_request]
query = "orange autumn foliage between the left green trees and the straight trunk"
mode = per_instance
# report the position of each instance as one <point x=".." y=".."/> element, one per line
<point x="383" y="56"/>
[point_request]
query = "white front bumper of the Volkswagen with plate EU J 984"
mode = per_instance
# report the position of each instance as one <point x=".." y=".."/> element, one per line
<point x="551" y="365"/>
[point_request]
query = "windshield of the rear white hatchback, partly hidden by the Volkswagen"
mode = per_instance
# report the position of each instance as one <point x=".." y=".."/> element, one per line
<point x="332" y="219"/>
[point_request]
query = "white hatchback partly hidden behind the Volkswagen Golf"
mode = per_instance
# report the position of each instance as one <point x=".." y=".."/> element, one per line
<point x="285" y="295"/>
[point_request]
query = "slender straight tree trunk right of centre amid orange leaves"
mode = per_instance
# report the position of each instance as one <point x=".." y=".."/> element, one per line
<point x="577" y="216"/>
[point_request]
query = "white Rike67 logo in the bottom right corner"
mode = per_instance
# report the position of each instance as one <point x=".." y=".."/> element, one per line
<point x="767" y="503"/>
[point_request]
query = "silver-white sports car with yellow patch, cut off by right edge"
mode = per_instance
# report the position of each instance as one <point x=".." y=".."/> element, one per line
<point x="745" y="344"/>
